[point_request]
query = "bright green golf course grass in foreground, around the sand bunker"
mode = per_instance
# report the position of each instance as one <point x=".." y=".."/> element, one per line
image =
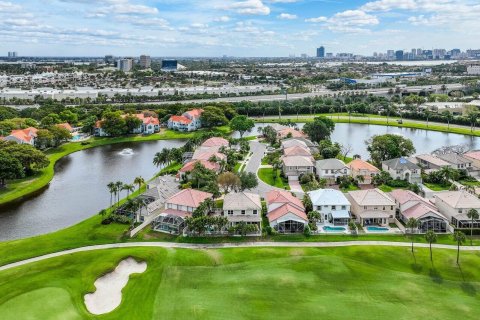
<point x="271" y="283"/>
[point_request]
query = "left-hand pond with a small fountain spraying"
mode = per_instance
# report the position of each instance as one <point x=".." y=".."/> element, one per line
<point x="78" y="189"/>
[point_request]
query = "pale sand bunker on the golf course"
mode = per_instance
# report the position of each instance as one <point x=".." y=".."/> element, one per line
<point x="109" y="287"/>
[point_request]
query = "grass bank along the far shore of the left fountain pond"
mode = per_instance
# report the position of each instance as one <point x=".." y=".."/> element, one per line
<point x="18" y="189"/>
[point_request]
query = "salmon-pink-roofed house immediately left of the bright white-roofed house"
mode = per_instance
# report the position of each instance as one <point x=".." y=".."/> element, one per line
<point x="285" y="212"/>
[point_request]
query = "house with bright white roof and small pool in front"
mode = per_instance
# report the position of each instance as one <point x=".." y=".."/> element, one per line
<point x="332" y="205"/>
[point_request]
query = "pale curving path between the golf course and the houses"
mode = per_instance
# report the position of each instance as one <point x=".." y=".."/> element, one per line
<point x="233" y="245"/>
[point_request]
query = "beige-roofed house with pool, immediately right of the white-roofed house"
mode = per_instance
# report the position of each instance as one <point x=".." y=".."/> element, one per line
<point x="372" y="207"/>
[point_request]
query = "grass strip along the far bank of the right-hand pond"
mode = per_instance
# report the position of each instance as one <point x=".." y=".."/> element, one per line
<point x="377" y="120"/>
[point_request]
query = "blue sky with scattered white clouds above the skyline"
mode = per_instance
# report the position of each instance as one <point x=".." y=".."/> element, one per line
<point x="241" y="28"/>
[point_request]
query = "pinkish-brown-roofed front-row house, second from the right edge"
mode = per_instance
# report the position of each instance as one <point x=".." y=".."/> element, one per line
<point x="410" y="205"/>
